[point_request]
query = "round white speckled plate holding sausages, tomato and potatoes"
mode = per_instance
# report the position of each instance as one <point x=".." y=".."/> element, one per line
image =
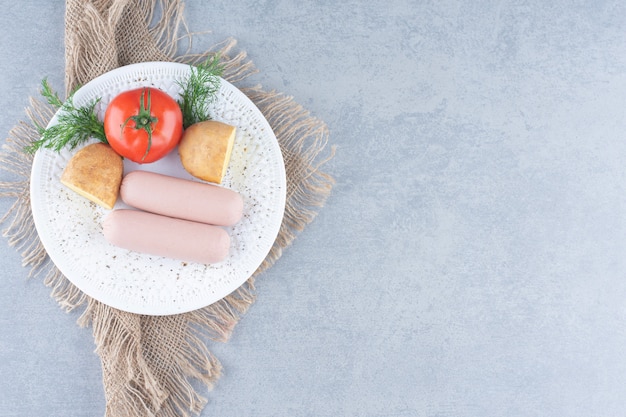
<point x="70" y="227"/>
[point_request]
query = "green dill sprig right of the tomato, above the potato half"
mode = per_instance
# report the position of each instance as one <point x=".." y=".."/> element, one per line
<point x="199" y="90"/>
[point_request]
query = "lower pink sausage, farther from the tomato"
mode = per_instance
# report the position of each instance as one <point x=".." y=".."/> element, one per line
<point x="165" y="236"/>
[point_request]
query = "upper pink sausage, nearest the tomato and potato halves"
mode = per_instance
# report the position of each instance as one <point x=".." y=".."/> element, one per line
<point x="180" y="198"/>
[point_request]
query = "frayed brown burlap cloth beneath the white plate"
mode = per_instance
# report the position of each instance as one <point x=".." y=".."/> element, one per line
<point x="151" y="365"/>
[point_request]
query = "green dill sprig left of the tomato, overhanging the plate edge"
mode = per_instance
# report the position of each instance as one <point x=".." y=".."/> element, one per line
<point x="75" y="125"/>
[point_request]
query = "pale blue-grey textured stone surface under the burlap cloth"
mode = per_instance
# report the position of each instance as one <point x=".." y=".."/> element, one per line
<point x="470" y="261"/>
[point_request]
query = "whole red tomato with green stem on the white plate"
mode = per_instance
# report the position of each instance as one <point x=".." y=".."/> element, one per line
<point x="143" y="125"/>
